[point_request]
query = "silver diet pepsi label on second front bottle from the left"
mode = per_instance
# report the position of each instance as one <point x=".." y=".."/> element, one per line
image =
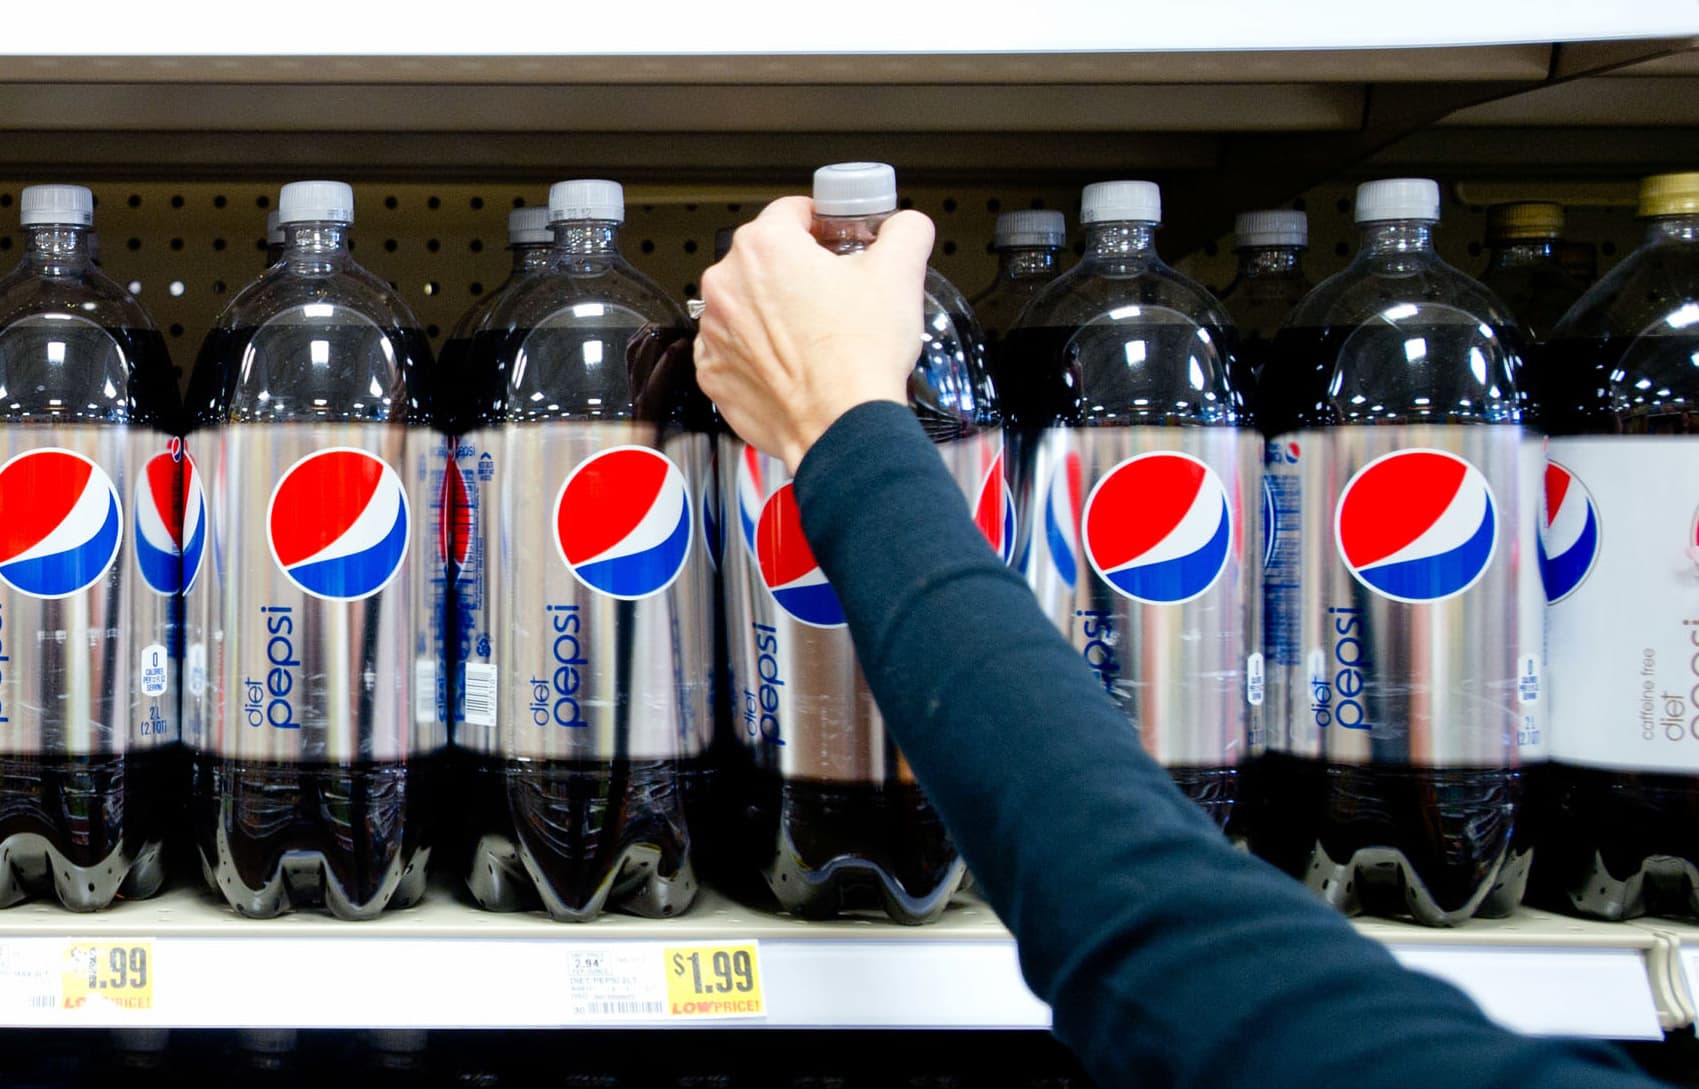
<point x="317" y="528"/>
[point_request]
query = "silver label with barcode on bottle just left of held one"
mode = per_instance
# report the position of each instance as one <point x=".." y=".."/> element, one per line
<point x="587" y="592"/>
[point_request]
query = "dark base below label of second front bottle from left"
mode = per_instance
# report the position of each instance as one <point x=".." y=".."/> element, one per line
<point x="354" y="838"/>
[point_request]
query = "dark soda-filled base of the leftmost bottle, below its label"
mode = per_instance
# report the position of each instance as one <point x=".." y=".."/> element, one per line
<point x="87" y="830"/>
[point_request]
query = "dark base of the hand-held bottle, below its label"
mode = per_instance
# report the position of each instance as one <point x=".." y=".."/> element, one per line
<point x="827" y="849"/>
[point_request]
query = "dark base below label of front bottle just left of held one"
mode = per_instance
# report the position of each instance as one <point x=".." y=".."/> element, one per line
<point x="577" y="838"/>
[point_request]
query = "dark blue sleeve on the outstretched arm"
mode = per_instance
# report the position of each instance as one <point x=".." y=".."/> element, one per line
<point x="1168" y="957"/>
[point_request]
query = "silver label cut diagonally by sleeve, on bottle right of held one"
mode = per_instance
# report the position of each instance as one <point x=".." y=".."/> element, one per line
<point x="1139" y="546"/>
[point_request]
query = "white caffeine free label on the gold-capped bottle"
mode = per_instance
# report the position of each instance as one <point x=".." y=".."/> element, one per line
<point x="1620" y="560"/>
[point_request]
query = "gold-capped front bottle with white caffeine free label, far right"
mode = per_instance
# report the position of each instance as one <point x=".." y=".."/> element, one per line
<point x="1620" y="560"/>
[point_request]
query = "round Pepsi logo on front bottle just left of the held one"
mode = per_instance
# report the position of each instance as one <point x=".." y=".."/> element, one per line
<point x="623" y="522"/>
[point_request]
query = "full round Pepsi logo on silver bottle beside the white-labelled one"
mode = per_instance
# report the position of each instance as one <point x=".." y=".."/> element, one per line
<point x="1418" y="526"/>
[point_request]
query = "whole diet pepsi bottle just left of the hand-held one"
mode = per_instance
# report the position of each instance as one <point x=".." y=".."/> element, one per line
<point x="589" y="657"/>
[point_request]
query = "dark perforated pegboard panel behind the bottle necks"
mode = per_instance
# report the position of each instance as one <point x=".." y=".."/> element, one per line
<point x="186" y="249"/>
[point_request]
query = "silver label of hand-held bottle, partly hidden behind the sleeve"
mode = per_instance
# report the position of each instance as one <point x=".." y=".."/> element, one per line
<point x="798" y="694"/>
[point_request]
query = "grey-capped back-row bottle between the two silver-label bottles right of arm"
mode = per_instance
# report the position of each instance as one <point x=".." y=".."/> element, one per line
<point x="1270" y="281"/>
